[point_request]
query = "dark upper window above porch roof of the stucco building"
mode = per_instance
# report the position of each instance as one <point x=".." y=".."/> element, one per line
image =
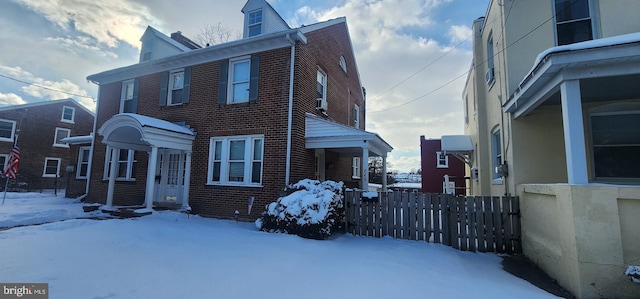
<point x="573" y="21"/>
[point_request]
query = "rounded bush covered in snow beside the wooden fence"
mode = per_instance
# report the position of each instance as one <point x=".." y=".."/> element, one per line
<point x="312" y="210"/>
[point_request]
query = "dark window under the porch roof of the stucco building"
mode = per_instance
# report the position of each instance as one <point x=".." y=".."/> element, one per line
<point x="622" y="129"/>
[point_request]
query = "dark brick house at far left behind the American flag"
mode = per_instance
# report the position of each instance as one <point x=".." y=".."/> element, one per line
<point x="39" y="129"/>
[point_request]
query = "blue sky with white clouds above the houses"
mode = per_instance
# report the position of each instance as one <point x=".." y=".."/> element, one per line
<point x="413" y="55"/>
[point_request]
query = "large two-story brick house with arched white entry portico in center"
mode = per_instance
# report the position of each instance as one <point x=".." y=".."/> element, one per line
<point x="208" y="128"/>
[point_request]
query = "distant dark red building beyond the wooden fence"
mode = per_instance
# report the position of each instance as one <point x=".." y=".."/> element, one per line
<point x="435" y="165"/>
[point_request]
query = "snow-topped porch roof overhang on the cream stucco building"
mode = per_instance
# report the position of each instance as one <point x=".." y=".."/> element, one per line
<point x="597" y="59"/>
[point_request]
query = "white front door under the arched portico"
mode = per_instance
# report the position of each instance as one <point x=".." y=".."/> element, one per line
<point x="171" y="176"/>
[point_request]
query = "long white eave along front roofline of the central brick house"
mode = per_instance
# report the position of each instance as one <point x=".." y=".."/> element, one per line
<point x="245" y="46"/>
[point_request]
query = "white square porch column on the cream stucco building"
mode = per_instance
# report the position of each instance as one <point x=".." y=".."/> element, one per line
<point x="574" y="142"/>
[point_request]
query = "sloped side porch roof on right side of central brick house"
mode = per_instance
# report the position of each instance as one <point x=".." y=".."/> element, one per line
<point x="325" y="134"/>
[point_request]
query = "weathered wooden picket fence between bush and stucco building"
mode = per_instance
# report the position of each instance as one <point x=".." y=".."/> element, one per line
<point x="470" y="223"/>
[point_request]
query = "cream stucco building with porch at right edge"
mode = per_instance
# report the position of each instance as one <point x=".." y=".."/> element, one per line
<point x="552" y="108"/>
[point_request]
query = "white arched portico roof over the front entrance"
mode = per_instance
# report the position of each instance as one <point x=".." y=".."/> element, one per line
<point x="138" y="132"/>
